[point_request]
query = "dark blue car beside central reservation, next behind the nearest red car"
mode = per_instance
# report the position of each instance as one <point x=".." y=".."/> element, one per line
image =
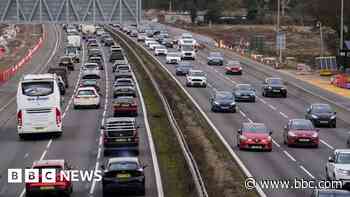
<point x="222" y="101"/>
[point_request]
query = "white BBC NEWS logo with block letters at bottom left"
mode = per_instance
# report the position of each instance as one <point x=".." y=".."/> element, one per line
<point x="48" y="175"/>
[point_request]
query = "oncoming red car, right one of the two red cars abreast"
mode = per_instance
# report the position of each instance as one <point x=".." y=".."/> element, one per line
<point x="301" y="132"/>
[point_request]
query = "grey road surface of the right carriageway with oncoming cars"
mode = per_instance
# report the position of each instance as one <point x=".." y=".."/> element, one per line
<point x="283" y="163"/>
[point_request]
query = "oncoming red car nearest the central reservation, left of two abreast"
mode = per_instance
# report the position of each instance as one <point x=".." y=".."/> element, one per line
<point x="254" y="136"/>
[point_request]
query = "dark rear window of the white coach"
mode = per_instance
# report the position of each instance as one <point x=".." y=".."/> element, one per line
<point x="42" y="88"/>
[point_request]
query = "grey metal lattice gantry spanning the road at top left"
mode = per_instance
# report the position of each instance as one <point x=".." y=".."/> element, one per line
<point x="70" y="11"/>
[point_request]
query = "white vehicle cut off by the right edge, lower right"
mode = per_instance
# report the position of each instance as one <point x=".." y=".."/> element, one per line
<point x="338" y="166"/>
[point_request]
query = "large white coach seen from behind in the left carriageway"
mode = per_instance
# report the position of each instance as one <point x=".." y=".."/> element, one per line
<point x="39" y="105"/>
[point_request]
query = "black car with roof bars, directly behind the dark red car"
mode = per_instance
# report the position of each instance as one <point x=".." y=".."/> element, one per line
<point x="120" y="135"/>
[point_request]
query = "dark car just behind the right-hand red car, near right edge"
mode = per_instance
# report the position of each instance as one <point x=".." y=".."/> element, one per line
<point x="321" y="114"/>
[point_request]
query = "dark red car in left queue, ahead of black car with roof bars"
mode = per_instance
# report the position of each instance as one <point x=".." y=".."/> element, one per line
<point x="125" y="105"/>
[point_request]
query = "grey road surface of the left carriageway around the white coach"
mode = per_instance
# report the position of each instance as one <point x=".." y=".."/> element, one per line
<point x="80" y="143"/>
